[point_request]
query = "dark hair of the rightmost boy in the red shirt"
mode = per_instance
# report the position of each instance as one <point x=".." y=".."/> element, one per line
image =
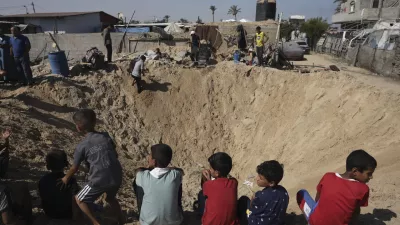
<point x="361" y="160"/>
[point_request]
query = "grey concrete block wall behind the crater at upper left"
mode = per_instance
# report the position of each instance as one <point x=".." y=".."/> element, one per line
<point x="76" y="45"/>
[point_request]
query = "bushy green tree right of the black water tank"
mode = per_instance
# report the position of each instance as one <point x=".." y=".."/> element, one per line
<point x="314" y="28"/>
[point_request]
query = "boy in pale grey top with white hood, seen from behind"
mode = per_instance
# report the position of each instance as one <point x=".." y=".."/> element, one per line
<point x="158" y="189"/>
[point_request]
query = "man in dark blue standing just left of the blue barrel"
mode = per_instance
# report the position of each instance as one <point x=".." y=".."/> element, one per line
<point x="20" y="47"/>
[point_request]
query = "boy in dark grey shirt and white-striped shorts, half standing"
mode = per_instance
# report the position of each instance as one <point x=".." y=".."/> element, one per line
<point x="105" y="173"/>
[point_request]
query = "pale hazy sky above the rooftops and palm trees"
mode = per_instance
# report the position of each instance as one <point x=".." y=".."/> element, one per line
<point x="188" y="9"/>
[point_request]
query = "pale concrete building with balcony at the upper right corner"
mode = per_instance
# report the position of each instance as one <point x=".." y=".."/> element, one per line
<point x="360" y="14"/>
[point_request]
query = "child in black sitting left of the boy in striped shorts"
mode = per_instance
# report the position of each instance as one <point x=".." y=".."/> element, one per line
<point x="57" y="204"/>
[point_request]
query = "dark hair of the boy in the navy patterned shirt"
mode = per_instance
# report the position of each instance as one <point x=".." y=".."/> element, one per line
<point x="271" y="170"/>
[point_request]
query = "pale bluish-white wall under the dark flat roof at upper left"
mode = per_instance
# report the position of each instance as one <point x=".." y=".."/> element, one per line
<point x="87" y="23"/>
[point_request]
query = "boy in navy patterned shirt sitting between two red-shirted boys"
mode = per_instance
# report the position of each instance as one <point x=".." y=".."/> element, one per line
<point x="269" y="205"/>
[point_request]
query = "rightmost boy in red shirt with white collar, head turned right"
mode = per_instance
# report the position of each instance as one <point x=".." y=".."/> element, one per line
<point x="340" y="196"/>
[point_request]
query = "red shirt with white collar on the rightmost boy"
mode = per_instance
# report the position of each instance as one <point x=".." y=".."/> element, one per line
<point x="339" y="198"/>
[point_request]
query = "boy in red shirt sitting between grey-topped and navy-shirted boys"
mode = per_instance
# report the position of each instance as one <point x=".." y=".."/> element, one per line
<point x="220" y="192"/>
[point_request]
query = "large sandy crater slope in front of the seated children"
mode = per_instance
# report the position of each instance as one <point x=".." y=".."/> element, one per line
<point x="309" y="123"/>
